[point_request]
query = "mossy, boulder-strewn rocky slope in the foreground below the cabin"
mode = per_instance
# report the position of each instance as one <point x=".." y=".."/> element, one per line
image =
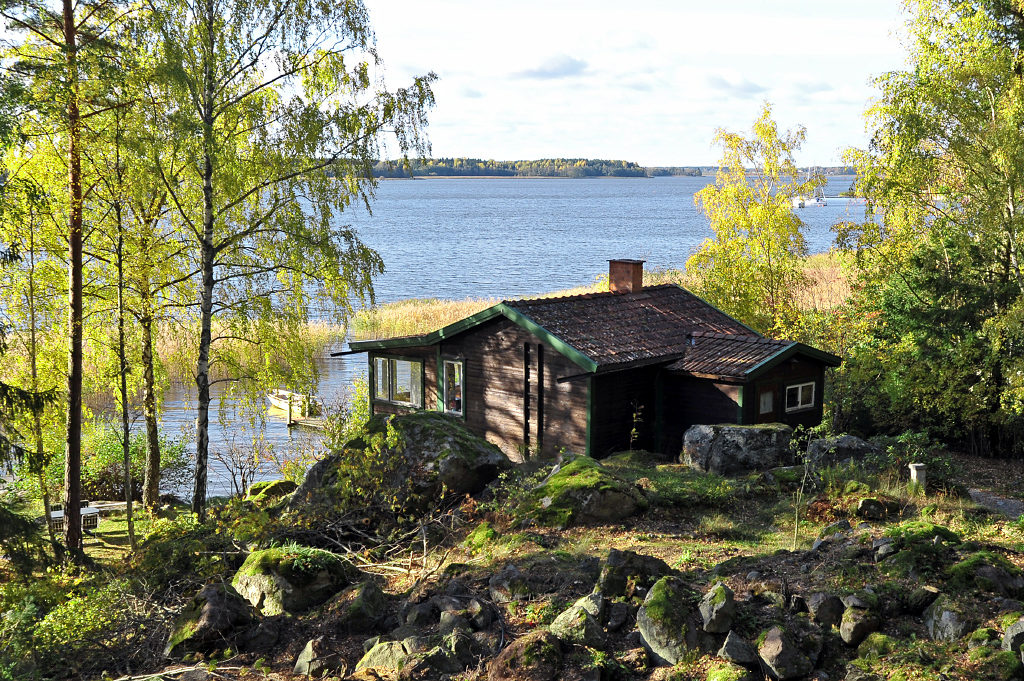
<point x="637" y="569"/>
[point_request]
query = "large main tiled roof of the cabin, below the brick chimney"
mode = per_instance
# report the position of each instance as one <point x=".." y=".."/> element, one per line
<point x="617" y="329"/>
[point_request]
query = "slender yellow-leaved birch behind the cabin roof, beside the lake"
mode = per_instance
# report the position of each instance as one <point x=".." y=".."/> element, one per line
<point x="751" y="269"/>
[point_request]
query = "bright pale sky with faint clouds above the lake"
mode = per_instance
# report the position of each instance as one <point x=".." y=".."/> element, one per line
<point x="648" y="81"/>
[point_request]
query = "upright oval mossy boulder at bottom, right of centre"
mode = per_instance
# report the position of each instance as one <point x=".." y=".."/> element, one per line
<point x="668" y="621"/>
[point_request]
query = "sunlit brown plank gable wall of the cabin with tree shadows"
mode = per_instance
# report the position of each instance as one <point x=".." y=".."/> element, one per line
<point x="496" y="378"/>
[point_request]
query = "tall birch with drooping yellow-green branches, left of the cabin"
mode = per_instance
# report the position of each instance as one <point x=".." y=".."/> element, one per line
<point x="279" y="113"/>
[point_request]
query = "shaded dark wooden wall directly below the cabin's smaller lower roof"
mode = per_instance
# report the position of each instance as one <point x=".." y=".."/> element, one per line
<point x="689" y="402"/>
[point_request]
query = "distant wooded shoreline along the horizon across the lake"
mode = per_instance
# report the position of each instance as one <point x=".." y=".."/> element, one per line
<point x="450" y="167"/>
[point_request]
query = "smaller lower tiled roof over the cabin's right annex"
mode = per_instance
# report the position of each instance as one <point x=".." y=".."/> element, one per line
<point x="728" y="355"/>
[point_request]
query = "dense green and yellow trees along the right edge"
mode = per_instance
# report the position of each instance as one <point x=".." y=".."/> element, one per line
<point x="942" y="271"/>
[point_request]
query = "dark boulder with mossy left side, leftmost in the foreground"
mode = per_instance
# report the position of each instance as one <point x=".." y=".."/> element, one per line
<point x="209" y="621"/>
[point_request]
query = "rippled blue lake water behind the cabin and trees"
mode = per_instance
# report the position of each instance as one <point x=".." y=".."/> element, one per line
<point x="456" y="238"/>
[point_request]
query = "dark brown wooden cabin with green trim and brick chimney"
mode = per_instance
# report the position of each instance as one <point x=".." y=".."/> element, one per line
<point x="592" y="373"/>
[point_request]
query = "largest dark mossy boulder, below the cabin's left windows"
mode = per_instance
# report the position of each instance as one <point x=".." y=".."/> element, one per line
<point x="430" y="454"/>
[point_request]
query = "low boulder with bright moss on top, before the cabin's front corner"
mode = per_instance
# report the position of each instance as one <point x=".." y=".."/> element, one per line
<point x="582" y="492"/>
